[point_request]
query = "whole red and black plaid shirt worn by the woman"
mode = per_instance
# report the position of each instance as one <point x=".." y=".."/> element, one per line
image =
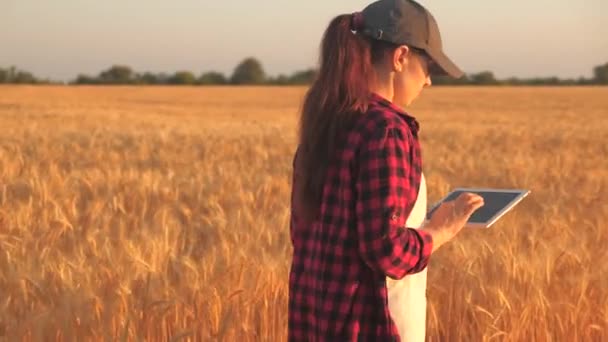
<point x="337" y="280"/>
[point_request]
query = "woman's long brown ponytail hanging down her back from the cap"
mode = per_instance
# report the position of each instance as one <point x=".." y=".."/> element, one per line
<point x="339" y="93"/>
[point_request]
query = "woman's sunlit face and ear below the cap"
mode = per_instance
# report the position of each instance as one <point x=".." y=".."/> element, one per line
<point x="411" y="75"/>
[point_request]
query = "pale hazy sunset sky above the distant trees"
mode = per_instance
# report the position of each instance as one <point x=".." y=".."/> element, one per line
<point x="59" y="39"/>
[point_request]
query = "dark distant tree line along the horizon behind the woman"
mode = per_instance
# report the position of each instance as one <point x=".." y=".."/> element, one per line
<point x="251" y="72"/>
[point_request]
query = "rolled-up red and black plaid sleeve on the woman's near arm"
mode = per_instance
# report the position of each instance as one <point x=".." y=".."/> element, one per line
<point x="384" y="191"/>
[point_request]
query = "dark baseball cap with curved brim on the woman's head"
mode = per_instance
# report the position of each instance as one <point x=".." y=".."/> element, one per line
<point x="406" y="22"/>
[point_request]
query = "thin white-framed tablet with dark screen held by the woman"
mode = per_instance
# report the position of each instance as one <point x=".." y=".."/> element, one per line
<point x="497" y="202"/>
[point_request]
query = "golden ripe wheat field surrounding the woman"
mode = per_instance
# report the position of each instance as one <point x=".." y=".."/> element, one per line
<point x="161" y="214"/>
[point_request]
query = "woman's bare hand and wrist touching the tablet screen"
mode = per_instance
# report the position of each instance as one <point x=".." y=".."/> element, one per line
<point x="451" y="216"/>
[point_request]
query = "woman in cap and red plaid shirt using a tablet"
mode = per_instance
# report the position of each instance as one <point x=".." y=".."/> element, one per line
<point x="358" y="189"/>
